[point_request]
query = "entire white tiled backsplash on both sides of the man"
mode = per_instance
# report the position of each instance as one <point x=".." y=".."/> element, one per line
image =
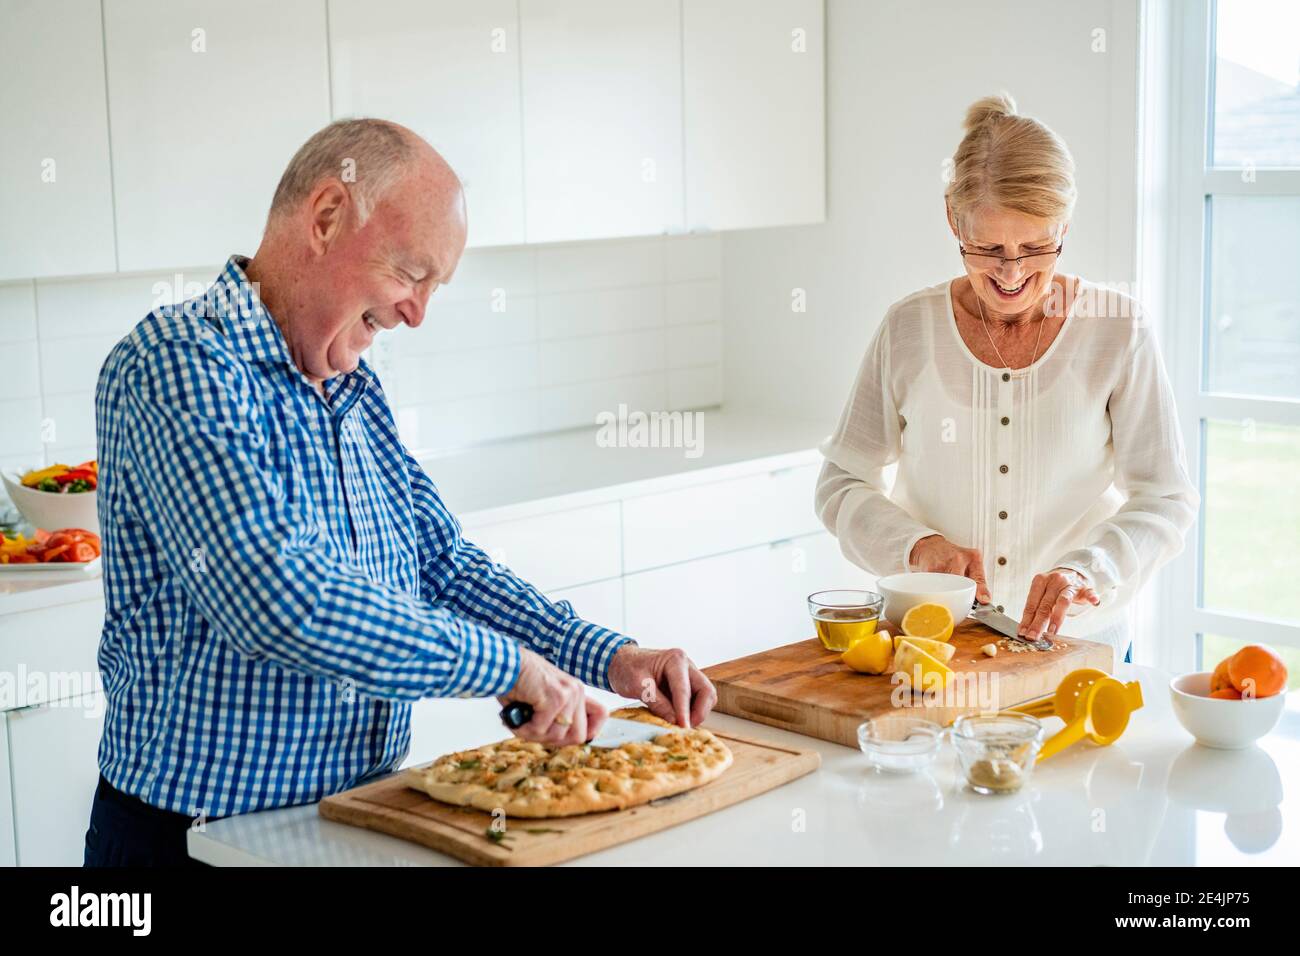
<point x="523" y="341"/>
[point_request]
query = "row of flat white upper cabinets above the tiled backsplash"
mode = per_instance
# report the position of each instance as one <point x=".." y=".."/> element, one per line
<point x="150" y="135"/>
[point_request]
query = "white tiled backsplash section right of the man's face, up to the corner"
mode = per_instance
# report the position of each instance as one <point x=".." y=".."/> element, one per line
<point x="534" y="340"/>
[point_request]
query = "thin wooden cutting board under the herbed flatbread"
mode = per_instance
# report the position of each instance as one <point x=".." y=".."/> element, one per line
<point x="391" y="807"/>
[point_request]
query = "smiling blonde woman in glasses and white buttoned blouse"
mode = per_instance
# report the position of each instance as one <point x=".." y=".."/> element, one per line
<point x="1028" y="410"/>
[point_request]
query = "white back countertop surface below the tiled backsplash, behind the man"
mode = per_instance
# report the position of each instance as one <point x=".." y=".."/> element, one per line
<point x="549" y="473"/>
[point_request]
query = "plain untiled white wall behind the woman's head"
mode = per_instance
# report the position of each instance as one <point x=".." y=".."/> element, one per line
<point x="900" y="76"/>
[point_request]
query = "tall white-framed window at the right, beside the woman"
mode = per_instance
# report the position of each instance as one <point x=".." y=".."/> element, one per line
<point x="1232" y="284"/>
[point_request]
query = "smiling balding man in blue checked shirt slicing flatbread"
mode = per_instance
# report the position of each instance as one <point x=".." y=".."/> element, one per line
<point x="281" y="577"/>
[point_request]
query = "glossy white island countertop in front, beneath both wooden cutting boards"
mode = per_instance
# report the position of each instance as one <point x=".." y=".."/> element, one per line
<point x="1154" y="798"/>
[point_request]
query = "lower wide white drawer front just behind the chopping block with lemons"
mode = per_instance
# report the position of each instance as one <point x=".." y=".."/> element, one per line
<point x="736" y="604"/>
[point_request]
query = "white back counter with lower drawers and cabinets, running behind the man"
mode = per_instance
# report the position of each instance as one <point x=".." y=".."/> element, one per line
<point x="713" y="552"/>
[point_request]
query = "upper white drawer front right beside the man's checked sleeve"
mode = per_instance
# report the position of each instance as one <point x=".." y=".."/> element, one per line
<point x="556" y="551"/>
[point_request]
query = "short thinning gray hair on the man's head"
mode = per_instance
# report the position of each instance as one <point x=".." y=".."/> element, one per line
<point x="369" y="157"/>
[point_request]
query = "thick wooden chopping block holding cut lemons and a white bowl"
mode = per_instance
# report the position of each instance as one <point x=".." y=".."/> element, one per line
<point x="807" y="689"/>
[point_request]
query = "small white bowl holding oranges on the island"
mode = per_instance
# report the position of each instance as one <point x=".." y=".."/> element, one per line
<point x="1236" y="704"/>
